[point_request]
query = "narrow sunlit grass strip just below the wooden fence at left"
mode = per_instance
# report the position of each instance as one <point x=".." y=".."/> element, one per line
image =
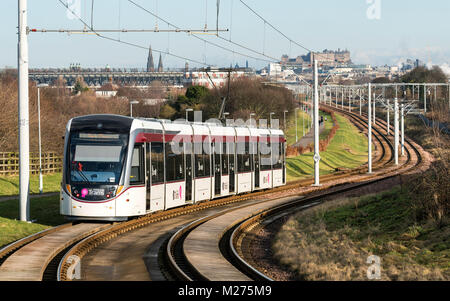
<point x="10" y="185"/>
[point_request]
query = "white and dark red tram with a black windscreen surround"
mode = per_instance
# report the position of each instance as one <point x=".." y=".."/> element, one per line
<point x="117" y="167"/>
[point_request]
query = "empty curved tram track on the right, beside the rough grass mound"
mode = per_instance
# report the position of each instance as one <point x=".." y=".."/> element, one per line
<point x="215" y="249"/>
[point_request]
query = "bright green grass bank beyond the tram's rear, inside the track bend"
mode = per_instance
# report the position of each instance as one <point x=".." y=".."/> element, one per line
<point x="348" y="149"/>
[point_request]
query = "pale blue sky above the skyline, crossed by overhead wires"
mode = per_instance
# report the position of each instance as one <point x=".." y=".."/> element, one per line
<point x="405" y="29"/>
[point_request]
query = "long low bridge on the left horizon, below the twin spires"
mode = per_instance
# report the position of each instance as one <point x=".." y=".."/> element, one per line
<point x="98" y="78"/>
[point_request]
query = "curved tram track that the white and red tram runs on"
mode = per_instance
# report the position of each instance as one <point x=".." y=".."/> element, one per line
<point x="56" y="263"/>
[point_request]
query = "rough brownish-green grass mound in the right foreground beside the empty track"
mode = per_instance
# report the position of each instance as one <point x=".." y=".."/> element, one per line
<point x="351" y="229"/>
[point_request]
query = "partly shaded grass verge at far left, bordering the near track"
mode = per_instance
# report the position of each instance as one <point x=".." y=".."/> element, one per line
<point x="44" y="211"/>
